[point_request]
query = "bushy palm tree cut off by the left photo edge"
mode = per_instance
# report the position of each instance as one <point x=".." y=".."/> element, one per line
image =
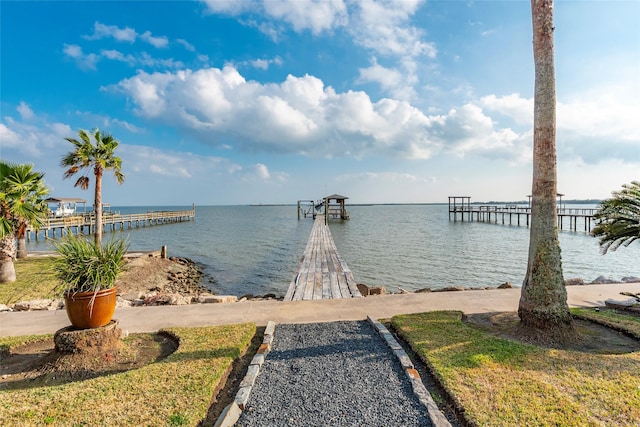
<point x="22" y="204"/>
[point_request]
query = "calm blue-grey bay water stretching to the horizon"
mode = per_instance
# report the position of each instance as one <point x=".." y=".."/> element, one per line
<point x="256" y="249"/>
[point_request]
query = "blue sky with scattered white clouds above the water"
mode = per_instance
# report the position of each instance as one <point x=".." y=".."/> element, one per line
<point x="242" y="102"/>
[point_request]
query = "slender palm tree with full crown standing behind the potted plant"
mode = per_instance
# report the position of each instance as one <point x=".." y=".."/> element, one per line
<point x="98" y="156"/>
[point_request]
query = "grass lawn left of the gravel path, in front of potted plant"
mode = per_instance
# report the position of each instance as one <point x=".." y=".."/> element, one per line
<point x="175" y="391"/>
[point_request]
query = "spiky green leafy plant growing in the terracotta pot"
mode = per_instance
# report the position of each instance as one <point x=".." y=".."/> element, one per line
<point x="85" y="266"/>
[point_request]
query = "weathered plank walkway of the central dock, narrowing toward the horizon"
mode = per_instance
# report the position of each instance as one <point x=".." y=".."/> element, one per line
<point x="322" y="273"/>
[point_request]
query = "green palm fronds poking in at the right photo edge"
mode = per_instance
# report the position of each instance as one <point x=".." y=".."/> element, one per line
<point x="619" y="218"/>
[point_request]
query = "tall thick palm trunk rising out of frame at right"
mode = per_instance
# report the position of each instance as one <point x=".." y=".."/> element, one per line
<point x="543" y="308"/>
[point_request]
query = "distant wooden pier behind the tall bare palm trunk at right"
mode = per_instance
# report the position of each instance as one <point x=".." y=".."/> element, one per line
<point x="461" y="209"/>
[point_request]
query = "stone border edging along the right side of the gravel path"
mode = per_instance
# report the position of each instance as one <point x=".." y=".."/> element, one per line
<point x="437" y="417"/>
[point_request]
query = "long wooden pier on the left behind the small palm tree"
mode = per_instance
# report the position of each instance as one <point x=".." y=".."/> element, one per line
<point x="86" y="223"/>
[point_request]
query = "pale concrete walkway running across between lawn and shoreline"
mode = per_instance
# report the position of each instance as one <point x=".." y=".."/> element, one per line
<point x="149" y="319"/>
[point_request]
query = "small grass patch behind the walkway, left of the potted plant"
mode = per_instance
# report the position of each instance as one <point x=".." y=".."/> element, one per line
<point x="34" y="280"/>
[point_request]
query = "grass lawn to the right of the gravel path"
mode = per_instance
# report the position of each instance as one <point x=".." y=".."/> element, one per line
<point x="500" y="382"/>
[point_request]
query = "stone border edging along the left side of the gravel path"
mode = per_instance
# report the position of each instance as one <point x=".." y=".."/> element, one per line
<point x="232" y="412"/>
